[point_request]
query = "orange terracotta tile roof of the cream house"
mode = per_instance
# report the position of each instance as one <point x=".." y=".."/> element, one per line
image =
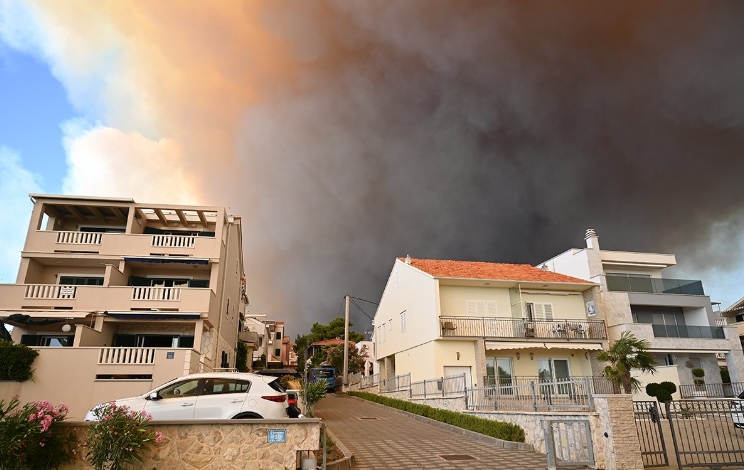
<point x="493" y="271"/>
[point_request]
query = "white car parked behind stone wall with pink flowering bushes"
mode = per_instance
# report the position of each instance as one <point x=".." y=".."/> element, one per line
<point x="211" y="395"/>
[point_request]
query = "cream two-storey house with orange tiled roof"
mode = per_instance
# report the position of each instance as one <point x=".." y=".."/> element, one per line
<point x="489" y="321"/>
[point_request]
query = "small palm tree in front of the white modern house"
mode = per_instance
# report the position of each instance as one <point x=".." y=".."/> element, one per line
<point x="627" y="353"/>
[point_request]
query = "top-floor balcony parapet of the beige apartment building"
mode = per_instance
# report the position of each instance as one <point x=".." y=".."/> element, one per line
<point x="114" y="244"/>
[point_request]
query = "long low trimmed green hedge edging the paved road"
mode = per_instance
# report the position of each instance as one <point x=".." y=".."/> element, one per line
<point x="498" y="429"/>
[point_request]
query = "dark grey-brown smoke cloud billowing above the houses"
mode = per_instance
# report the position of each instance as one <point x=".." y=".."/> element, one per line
<point x="493" y="131"/>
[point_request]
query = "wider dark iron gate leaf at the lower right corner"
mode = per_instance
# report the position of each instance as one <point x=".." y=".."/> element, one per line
<point x="707" y="433"/>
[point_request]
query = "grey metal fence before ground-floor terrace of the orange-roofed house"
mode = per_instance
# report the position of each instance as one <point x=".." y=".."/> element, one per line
<point x="534" y="395"/>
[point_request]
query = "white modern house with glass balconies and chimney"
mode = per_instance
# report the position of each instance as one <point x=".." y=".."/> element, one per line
<point x="673" y="315"/>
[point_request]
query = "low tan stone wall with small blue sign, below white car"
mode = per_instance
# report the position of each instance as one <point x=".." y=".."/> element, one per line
<point x="221" y="444"/>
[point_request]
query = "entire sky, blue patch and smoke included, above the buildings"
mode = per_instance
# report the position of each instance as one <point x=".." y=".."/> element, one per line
<point x="349" y="133"/>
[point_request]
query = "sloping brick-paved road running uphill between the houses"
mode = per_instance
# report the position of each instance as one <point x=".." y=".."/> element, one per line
<point x="385" y="439"/>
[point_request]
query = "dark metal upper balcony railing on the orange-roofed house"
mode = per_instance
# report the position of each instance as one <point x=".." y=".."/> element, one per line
<point x="489" y="327"/>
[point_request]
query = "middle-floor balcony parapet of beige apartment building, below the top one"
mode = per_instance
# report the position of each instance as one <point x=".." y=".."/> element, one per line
<point x="17" y="296"/>
